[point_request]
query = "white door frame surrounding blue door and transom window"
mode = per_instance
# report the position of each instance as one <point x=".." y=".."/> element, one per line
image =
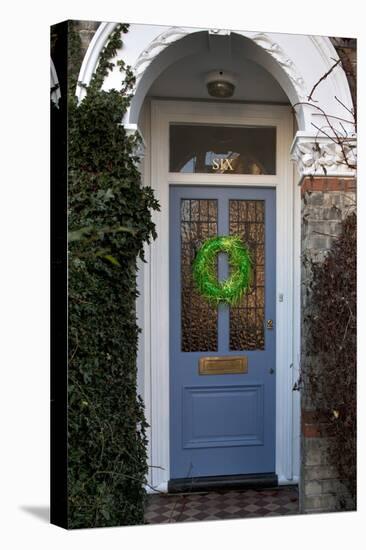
<point x="156" y="273"/>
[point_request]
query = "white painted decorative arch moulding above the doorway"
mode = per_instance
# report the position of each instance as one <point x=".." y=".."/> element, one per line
<point x="295" y="61"/>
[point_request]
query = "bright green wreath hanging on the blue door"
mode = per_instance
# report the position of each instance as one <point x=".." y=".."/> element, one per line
<point x="232" y="289"/>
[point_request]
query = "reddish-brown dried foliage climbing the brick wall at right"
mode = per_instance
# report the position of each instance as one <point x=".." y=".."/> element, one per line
<point x="330" y="371"/>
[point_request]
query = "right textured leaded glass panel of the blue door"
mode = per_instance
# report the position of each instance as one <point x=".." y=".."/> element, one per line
<point x="246" y="219"/>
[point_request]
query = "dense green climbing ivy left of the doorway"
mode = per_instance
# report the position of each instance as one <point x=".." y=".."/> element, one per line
<point x="110" y="219"/>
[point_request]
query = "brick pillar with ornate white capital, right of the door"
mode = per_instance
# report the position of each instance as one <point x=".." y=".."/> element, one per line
<point x="328" y="194"/>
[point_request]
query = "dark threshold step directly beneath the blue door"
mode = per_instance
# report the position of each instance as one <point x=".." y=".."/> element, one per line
<point x="215" y="483"/>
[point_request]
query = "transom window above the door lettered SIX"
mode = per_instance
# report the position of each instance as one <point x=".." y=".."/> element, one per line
<point x="222" y="149"/>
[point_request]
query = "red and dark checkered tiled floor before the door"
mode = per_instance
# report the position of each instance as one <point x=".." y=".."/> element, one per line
<point x="165" y="508"/>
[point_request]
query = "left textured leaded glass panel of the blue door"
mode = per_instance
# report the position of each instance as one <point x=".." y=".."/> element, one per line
<point x="199" y="319"/>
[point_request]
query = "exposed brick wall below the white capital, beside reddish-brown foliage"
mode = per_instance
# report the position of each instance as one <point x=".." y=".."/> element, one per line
<point x="325" y="203"/>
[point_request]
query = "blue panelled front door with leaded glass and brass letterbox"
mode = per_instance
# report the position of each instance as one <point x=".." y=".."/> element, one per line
<point x="222" y="423"/>
